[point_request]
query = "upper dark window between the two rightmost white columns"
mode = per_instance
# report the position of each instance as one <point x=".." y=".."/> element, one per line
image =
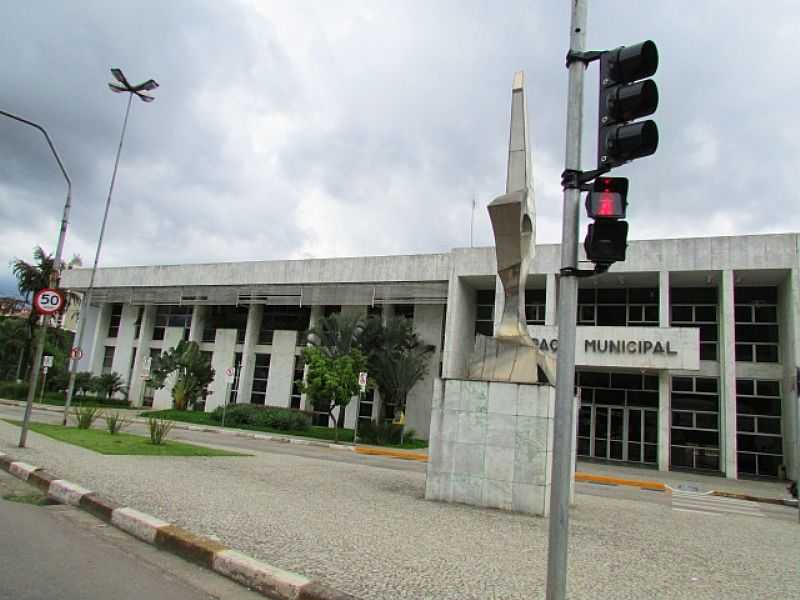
<point x="756" y="315"/>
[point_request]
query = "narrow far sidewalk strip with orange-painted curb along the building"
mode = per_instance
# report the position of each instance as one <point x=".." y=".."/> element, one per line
<point x="586" y="471"/>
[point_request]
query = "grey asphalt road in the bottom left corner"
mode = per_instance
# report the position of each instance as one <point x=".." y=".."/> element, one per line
<point x="60" y="552"/>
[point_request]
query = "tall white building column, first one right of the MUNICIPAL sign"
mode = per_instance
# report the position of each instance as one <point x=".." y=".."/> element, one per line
<point x="727" y="376"/>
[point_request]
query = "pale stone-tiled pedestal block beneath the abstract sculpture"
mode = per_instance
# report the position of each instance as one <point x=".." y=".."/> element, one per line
<point x="491" y="445"/>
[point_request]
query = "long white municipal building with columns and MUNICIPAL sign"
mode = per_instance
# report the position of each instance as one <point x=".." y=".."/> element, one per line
<point x="721" y="396"/>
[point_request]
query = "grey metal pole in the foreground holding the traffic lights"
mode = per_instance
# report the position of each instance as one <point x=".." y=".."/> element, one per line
<point x="567" y="309"/>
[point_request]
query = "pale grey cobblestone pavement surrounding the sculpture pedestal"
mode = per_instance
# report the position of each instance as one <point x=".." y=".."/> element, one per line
<point x="368" y="530"/>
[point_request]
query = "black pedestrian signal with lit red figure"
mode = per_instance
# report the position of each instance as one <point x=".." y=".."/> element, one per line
<point x="607" y="237"/>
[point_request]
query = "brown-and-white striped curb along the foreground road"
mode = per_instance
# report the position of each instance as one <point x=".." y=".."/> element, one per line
<point x="268" y="580"/>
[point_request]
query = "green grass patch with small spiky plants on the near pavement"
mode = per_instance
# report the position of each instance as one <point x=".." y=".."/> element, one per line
<point x="121" y="443"/>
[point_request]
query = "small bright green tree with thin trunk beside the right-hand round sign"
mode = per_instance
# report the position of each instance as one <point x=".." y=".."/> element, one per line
<point x="332" y="381"/>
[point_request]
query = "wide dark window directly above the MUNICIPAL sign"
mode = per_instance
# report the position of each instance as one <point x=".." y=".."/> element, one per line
<point x="621" y="307"/>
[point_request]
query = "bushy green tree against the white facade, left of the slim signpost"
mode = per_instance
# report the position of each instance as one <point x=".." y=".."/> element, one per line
<point x="193" y="373"/>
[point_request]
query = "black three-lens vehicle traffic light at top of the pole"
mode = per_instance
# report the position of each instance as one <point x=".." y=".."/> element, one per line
<point x="623" y="98"/>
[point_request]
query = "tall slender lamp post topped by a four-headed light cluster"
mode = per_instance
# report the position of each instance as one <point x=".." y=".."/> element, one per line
<point x="120" y="87"/>
